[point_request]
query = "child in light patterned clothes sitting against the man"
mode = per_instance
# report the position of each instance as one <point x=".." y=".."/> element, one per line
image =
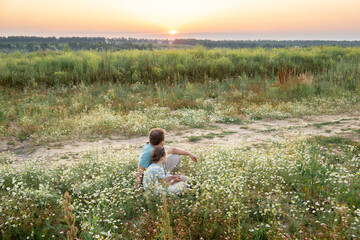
<point x="155" y="178"/>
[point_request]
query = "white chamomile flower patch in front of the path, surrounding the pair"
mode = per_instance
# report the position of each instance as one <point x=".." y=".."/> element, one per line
<point x="288" y="189"/>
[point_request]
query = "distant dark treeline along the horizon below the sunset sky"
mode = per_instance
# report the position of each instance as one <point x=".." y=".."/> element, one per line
<point x="31" y="44"/>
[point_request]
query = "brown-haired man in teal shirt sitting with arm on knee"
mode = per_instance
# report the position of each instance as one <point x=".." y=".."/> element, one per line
<point x="173" y="163"/>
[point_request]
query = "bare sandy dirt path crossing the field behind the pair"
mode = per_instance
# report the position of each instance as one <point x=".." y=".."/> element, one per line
<point x="249" y="133"/>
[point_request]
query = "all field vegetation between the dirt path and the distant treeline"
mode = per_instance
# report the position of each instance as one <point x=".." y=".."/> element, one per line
<point x="53" y="96"/>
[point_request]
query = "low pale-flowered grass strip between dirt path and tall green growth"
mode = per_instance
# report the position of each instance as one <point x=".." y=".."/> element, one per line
<point x="61" y="113"/>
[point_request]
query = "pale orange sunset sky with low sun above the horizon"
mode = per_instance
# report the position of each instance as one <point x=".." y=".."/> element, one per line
<point x="225" y="19"/>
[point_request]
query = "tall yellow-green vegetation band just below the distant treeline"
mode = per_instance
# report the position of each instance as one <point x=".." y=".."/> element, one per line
<point x="334" y="64"/>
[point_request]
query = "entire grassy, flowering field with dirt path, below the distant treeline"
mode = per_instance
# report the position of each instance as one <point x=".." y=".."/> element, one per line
<point x="276" y="132"/>
